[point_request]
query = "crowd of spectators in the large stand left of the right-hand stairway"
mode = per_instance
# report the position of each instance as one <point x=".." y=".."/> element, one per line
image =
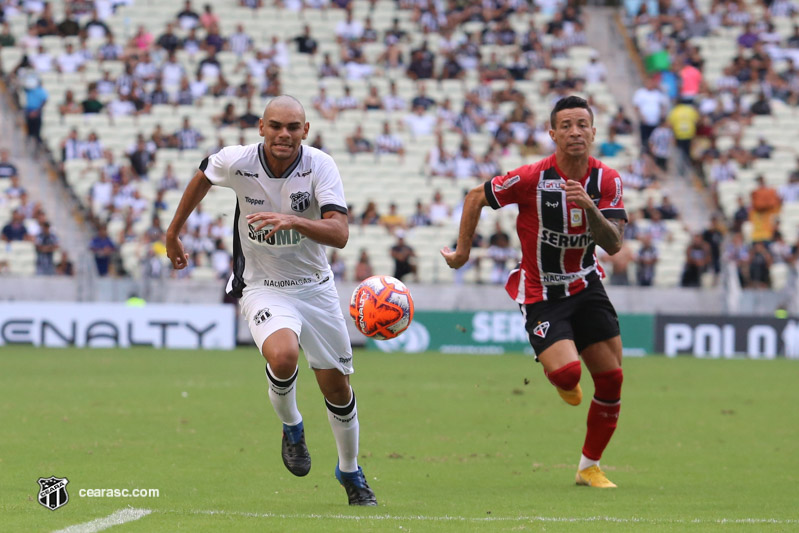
<point x="179" y="66"/>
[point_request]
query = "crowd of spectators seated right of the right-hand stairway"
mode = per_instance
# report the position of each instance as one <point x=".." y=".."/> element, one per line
<point x="691" y="117"/>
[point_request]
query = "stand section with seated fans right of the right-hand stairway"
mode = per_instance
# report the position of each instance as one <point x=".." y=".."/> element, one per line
<point x="734" y="63"/>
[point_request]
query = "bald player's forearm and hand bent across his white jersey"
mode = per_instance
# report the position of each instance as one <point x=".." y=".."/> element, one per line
<point x="331" y="230"/>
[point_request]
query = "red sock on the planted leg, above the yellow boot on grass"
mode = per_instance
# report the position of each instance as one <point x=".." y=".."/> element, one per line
<point x="603" y="413"/>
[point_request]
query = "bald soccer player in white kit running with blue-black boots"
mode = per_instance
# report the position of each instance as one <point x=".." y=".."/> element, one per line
<point x="290" y="204"/>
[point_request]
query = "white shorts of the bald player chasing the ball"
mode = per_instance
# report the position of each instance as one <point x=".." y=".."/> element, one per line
<point x="316" y="318"/>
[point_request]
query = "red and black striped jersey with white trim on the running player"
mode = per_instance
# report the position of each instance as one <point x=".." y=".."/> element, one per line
<point x="558" y="258"/>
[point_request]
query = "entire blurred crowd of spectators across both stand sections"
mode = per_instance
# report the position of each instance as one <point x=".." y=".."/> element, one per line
<point x="681" y="114"/>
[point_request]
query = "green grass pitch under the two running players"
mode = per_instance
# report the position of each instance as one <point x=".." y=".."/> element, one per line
<point x="448" y="442"/>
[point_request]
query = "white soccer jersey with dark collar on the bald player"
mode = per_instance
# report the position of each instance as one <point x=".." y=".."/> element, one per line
<point x="310" y="187"/>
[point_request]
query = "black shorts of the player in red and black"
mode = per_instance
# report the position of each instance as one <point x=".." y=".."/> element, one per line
<point x="585" y="318"/>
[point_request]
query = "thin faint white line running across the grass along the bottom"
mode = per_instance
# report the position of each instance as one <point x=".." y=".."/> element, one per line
<point x="447" y="518"/>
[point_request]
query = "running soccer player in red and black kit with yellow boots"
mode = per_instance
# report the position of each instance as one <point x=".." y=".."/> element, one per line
<point x="568" y="203"/>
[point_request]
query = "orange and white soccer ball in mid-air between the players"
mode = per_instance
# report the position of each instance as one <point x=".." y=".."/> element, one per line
<point x="381" y="307"/>
